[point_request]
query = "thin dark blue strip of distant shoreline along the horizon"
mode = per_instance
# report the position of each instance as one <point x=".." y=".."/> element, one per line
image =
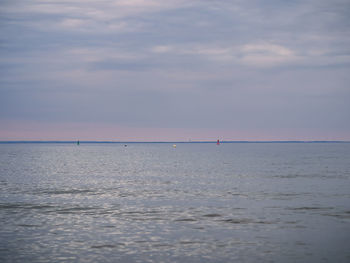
<point x="124" y="142"/>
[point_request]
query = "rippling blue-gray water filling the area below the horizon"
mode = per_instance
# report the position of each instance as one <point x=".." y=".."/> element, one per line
<point x="237" y="202"/>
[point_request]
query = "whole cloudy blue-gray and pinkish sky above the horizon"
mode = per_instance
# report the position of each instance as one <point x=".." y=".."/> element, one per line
<point x="170" y="70"/>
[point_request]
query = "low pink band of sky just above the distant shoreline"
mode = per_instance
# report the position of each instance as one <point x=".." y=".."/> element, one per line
<point x="86" y="131"/>
